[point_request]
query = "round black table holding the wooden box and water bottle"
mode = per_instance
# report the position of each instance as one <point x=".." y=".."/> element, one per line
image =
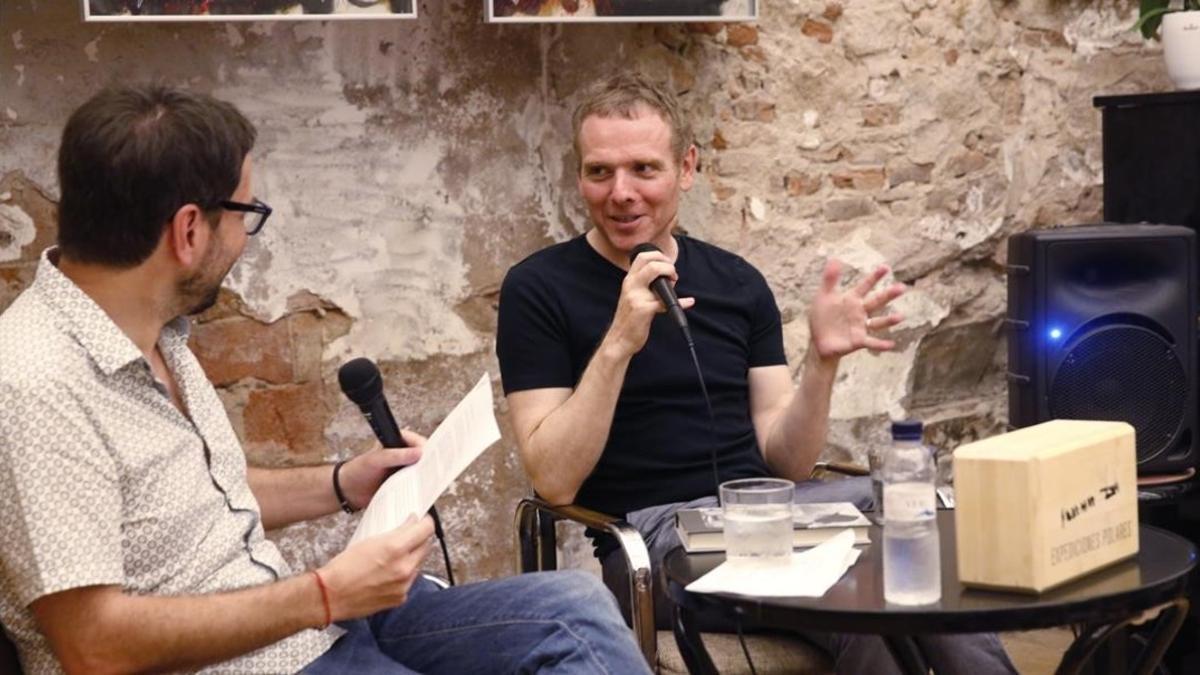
<point x="1103" y="602"/>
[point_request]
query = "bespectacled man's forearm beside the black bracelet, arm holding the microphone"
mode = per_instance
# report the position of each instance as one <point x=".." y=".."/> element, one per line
<point x="295" y="494"/>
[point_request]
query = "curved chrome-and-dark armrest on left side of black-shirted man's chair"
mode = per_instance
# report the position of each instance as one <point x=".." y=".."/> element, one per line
<point x="538" y="548"/>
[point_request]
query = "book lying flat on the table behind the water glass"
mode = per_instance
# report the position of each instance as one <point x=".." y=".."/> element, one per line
<point x="703" y="530"/>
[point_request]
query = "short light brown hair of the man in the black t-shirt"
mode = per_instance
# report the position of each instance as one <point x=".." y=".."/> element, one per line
<point x="626" y="95"/>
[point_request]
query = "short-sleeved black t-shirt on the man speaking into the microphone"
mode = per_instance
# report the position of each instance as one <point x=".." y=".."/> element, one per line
<point x="556" y="307"/>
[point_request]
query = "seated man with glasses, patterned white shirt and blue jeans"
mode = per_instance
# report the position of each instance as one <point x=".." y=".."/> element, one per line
<point x="131" y="529"/>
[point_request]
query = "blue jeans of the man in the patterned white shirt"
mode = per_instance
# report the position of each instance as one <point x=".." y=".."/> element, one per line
<point x="542" y="623"/>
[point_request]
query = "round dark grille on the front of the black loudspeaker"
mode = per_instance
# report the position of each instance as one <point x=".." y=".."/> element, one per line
<point x="1127" y="374"/>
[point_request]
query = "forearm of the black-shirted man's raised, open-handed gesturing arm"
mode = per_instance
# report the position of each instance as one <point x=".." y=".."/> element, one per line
<point x="801" y="432"/>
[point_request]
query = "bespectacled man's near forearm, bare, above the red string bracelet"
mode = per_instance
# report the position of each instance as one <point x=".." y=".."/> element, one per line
<point x="124" y="634"/>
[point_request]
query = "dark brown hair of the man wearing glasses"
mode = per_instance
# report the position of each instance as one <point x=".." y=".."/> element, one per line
<point x="131" y="157"/>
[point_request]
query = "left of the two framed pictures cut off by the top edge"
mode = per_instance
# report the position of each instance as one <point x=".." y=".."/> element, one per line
<point x="245" y="10"/>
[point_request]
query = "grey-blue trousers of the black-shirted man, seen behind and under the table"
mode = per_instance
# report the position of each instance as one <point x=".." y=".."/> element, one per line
<point x="853" y="654"/>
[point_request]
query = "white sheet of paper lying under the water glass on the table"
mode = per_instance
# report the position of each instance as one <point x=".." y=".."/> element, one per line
<point x="808" y="575"/>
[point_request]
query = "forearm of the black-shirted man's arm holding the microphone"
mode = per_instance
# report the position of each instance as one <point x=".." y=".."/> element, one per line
<point x="565" y="449"/>
